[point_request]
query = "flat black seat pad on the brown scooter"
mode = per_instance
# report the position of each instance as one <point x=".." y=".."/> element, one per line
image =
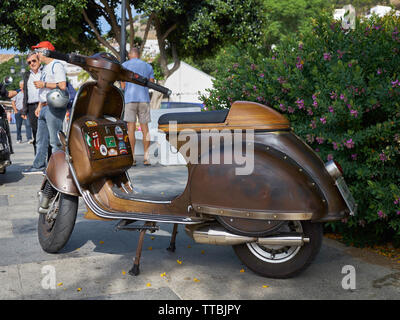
<point x="217" y="116"/>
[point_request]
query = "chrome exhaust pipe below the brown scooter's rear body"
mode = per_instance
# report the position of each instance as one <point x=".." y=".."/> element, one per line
<point x="219" y="236"/>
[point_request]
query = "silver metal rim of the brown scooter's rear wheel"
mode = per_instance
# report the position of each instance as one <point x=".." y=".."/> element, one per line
<point x="277" y="253"/>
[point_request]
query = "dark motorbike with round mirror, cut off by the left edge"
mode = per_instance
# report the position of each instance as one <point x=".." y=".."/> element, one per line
<point x="6" y="148"/>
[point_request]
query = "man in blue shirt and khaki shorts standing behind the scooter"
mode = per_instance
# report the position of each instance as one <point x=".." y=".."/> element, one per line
<point x="137" y="102"/>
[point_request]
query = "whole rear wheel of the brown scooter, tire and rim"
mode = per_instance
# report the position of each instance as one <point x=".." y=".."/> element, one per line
<point x="280" y="261"/>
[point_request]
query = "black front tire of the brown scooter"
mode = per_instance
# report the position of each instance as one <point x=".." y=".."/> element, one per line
<point x="53" y="237"/>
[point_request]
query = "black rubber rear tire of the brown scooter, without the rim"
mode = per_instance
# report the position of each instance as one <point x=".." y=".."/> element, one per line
<point x="291" y="267"/>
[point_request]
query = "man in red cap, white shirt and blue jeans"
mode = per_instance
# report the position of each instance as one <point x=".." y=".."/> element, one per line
<point x="50" y="120"/>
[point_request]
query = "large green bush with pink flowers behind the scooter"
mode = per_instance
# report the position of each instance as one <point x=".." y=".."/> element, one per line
<point x="341" y="91"/>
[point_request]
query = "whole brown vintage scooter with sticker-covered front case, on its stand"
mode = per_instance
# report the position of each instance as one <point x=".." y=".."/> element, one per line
<point x="271" y="215"/>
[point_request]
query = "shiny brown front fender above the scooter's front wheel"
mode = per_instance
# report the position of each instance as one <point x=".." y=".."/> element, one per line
<point x="59" y="175"/>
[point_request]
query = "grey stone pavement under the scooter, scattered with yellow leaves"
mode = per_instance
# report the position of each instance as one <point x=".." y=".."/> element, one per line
<point x="95" y="262"/>
